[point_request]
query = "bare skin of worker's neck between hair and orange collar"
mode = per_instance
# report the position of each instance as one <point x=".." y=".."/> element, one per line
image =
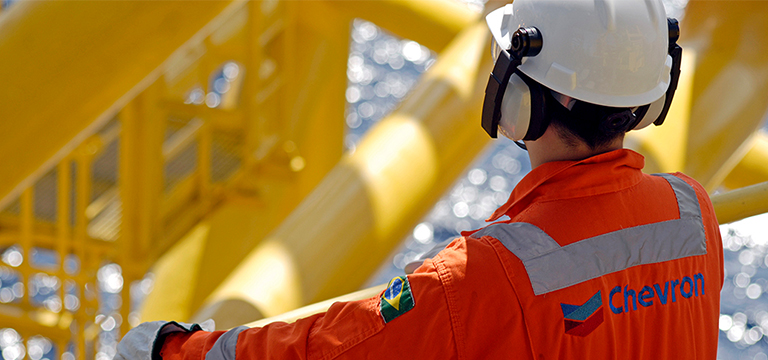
<point x="553" y="147"/>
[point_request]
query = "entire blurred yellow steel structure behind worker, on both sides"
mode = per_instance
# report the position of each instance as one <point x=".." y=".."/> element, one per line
<point x="182" y="136"/>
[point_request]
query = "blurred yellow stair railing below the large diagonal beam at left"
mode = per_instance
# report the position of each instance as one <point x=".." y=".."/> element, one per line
<point x="81" y="236"/>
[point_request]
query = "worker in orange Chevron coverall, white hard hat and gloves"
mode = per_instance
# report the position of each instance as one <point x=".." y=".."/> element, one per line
<point x="589" y="258"/>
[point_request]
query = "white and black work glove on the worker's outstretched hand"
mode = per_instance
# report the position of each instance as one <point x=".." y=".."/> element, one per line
<point x="145" y="341"/>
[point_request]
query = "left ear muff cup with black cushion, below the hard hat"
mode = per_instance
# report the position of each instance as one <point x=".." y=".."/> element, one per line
<point x="523" y="115"/>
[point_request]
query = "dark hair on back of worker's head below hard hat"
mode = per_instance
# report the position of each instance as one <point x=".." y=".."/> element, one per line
<point x="594" y="125"/>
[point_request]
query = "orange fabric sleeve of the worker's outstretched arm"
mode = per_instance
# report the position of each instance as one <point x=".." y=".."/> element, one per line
<point x="348" y="330"/>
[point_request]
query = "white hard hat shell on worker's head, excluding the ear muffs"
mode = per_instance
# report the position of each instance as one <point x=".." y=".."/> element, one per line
<point x="605" y="52"/>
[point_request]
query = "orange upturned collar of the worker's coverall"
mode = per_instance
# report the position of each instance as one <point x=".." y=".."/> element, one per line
<point x="599" y="174"/>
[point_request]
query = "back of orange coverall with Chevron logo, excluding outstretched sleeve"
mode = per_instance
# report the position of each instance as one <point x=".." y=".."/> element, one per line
<point x="600" y="261"/>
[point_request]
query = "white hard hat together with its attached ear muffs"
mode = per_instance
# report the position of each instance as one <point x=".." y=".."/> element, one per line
<point x="614" y="53"/>
